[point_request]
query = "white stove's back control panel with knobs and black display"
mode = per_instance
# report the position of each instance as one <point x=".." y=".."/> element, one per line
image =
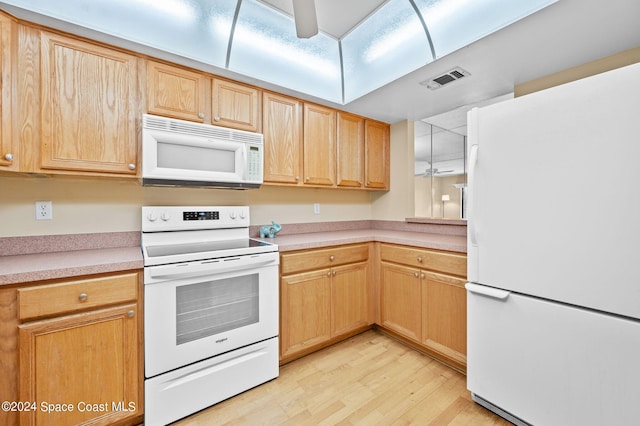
<point x="184" y="218"/>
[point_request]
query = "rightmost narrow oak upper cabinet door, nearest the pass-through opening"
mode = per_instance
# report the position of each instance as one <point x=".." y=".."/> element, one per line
<point x="376" y="154"/>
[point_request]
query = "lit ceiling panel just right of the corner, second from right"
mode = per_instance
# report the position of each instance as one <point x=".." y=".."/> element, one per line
<point x="388" y="45"/>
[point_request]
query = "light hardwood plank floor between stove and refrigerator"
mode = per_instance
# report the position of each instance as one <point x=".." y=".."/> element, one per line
<point x="369" y="379"/>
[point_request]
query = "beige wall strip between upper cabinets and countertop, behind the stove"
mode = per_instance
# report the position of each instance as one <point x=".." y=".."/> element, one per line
<point x="90" y="206"/>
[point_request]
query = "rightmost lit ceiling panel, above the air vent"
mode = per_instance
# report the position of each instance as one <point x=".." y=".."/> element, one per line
<point x="453" y="24"/>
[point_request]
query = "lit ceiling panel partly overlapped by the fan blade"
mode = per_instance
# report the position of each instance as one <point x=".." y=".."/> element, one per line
<point x="265" y="46"/>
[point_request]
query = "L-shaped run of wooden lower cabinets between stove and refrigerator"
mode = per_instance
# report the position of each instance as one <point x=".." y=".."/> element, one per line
<point x="328" y="294"/>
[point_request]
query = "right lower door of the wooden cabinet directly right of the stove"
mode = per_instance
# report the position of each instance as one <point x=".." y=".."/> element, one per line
<point x="350" y="298"/>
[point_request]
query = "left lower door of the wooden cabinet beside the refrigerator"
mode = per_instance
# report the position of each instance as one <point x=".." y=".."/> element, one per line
<point x="400" y="302"/>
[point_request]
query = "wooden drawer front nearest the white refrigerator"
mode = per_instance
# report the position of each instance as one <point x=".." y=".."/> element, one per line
<point x="447" y="262"/>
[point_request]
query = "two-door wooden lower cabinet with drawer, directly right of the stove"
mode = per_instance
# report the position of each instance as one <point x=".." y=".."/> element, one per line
<point x="321" y="303"/>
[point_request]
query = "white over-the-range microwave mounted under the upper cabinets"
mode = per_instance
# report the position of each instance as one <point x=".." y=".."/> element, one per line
<point x="182" y="153"/>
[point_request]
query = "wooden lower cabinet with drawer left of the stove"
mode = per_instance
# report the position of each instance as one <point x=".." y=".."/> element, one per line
<point x="79" y="356"/>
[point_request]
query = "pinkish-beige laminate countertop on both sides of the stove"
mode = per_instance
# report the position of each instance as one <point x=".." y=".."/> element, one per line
<point x="29" y="259"/>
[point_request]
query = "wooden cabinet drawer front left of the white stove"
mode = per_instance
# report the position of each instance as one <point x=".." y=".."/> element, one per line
<point x="51" y="299"/>
